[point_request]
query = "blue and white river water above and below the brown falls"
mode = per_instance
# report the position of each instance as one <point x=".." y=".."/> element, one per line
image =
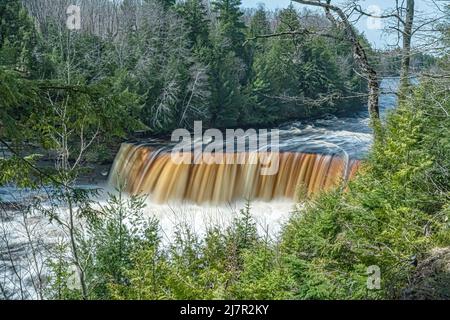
<point x="344" y="136"/>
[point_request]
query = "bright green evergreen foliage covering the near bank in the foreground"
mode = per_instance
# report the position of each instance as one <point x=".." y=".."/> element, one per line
<point x="391" y="216"/>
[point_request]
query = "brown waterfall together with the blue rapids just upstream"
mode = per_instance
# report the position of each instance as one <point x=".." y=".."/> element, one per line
<point x="313" y="156"/>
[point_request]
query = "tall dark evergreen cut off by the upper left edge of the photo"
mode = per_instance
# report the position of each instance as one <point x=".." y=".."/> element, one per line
<point x="18" y="98"/>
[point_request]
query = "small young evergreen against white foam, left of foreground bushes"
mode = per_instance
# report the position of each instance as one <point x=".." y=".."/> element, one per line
<point x="112" y="236"/>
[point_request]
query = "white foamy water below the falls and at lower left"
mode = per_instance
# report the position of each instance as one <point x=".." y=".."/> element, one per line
<point x="20" y="235"/>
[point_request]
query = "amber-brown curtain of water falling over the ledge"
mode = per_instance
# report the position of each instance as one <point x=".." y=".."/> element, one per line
<point x="143" y="169"/>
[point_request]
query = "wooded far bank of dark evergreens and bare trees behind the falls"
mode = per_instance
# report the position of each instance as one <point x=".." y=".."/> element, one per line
<point x="175" y="65"/>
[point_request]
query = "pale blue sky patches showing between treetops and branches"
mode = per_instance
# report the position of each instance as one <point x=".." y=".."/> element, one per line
<point x="371" y="28"/>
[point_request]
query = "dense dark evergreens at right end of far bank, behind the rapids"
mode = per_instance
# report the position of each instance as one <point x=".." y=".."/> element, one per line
<point x="297" y="76"/>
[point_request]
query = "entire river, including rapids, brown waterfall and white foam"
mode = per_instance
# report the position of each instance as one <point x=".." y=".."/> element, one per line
<point x="317" y="153"/>
